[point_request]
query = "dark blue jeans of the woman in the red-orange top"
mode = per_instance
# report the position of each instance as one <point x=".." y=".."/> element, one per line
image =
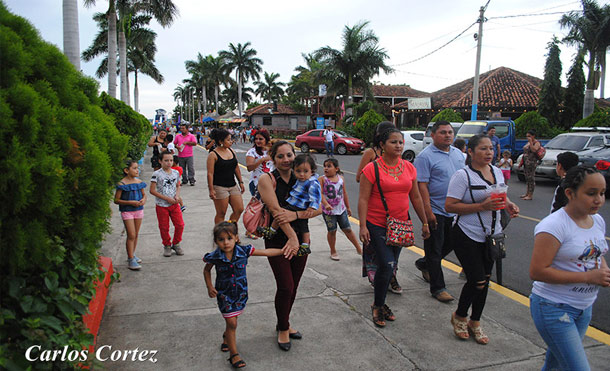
<point x="386" y="258"/>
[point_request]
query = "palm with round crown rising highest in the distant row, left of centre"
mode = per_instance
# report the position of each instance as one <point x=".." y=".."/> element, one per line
<point x="241" y="58"/>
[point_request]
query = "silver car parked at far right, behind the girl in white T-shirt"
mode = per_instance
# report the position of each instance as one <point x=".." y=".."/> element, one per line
<point x="572" y="142"/>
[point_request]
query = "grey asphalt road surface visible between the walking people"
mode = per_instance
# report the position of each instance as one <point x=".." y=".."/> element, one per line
<point x="520" y="232"/>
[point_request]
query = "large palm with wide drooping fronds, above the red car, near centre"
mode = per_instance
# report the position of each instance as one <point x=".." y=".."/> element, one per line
<point x="360" y="59"/>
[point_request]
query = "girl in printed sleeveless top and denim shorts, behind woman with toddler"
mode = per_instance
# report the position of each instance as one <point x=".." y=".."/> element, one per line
<point x="336" y="207"/>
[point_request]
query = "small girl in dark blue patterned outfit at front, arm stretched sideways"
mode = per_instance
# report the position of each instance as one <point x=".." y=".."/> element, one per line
<point x="231" y="288"/>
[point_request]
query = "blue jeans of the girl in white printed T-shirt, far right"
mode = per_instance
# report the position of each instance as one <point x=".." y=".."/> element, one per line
<point x="562" y="327"/>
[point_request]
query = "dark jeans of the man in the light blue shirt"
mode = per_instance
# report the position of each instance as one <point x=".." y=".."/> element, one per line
<point x="437" y="247"/>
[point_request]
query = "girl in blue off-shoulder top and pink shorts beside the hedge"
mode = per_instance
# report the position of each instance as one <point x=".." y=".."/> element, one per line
<point x="130" y="197"/>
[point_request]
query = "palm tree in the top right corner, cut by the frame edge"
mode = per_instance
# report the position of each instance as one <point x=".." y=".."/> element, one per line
<point x="591" y="29"/>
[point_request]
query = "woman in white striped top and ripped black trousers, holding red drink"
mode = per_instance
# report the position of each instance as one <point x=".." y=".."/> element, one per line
<point x="469" y="197"/>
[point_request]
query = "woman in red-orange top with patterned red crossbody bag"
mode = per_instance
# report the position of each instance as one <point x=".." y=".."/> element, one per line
<point x="383" y="202"/>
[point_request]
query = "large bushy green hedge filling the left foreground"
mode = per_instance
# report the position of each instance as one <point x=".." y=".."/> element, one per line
<point x="61" y="157"/>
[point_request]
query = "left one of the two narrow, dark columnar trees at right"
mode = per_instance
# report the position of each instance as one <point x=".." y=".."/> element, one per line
<point x="550" y="92"/>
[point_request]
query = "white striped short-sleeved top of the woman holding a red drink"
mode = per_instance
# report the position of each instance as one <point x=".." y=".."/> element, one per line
<point x="458" y="188"/>
